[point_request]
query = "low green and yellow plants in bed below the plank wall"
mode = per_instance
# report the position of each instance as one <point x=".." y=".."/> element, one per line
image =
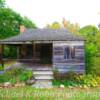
<point x="74" y="79"/>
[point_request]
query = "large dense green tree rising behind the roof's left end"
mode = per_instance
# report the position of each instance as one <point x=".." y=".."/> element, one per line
<point x="10" y="22"/>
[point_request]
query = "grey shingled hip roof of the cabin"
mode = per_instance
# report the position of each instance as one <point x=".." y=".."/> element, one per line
<point x="45" y="35"/>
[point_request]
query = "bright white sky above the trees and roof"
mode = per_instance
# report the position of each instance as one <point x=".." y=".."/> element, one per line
<point x="43" y="12"/>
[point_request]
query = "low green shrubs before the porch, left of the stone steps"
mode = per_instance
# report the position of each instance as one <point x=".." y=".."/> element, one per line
<point x="14" y="75"/>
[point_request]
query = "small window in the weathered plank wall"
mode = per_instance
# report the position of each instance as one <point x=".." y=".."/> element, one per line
<point x="69" y="52"/>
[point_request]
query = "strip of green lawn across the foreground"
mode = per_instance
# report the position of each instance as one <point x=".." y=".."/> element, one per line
<point x="29" y="93"/>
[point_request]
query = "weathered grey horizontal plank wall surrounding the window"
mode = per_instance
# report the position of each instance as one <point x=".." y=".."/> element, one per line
<point x="64" y="65"/>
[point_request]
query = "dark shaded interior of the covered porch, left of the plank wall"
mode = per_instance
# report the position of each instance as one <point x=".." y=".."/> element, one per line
<point x="30" y="54"/>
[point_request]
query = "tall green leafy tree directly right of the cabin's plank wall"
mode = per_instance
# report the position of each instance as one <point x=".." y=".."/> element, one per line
<point x="90" y="33"/>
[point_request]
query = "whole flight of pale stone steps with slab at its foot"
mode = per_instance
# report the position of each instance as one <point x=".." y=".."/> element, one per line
<point x="43" y="77"/>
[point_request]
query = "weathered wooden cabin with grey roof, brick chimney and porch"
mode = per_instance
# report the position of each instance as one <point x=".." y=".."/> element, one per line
<point x="57" y="48"/>
